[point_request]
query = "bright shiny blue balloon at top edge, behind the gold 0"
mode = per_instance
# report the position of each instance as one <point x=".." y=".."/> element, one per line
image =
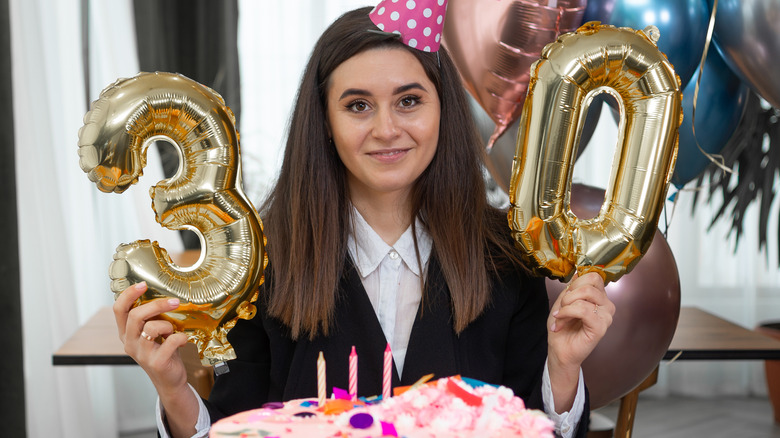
<point x="682" y="24"/>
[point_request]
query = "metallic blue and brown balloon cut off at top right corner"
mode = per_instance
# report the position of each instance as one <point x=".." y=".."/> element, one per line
<point x="747" y="34"/>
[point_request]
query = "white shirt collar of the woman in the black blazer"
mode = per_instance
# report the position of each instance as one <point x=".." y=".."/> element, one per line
<point x="368" y="250"/>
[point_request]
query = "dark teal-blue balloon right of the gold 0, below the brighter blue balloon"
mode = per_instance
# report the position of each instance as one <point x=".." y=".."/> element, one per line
<point x="719" y="108"/>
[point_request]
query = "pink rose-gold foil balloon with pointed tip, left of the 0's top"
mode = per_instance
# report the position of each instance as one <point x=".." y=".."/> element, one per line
<point x="494" y="43"/>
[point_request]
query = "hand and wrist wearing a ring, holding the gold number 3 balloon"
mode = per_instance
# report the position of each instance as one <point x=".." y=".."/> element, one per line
<point x="140" y="328"/>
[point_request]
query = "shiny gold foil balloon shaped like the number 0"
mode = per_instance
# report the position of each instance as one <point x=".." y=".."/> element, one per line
<point x="594" y="59"/>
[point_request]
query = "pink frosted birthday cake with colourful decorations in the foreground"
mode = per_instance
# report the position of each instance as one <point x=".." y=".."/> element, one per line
<point x="448" y="407"/>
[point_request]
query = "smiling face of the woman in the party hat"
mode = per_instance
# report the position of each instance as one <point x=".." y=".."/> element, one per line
<point x="383" y="115"/>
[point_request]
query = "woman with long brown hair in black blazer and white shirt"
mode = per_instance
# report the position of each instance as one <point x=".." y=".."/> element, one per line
<point x="379" y="231"/>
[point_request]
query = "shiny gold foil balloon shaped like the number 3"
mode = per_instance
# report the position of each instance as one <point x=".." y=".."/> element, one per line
<point x="205" y="196"/>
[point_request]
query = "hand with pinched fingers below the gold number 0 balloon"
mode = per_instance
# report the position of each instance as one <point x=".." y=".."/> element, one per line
<point x="578" y="320"/>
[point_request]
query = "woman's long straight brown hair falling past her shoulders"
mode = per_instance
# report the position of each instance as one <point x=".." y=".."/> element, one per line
<point x="307" y="214"/>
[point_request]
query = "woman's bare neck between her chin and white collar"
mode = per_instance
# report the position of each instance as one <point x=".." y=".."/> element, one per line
<point x="387" y="214"/>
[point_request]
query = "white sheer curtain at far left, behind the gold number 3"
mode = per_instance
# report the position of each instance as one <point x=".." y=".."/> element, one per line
<point x="67" y="229"/>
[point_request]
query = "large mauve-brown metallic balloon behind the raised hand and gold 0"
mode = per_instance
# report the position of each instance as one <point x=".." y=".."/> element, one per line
<point x="647" y="303"/>
